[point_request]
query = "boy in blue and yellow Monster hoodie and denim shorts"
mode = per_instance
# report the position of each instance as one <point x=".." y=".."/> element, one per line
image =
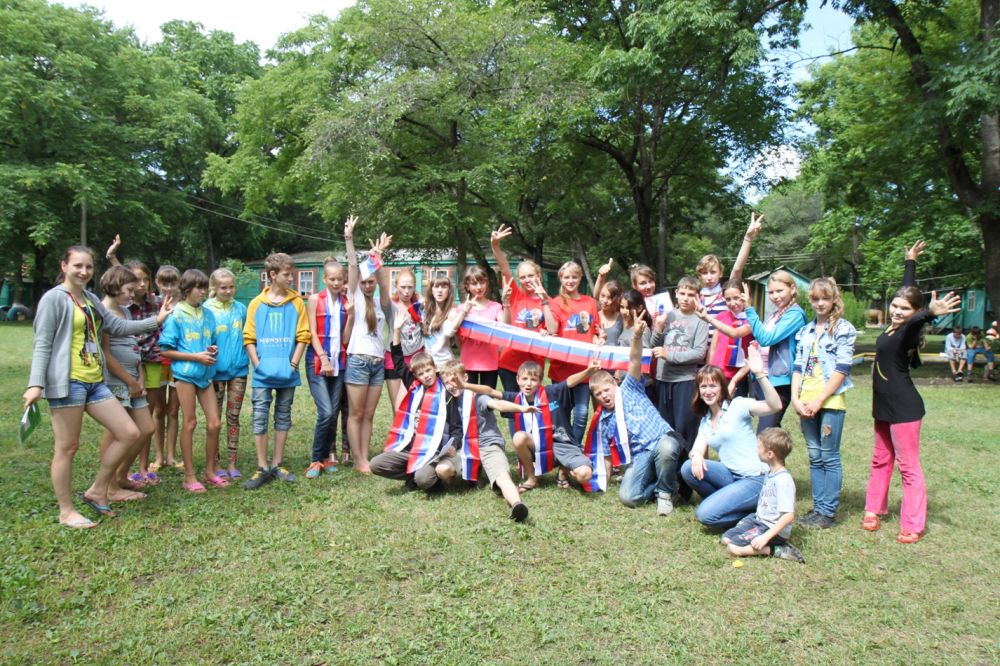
<point x="275" y="335"/>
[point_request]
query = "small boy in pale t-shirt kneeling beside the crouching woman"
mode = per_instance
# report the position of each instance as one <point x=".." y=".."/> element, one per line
<point x="766" y="531"/>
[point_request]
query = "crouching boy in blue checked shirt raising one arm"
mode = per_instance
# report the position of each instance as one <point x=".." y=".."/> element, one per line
<point x="627" y="418"/>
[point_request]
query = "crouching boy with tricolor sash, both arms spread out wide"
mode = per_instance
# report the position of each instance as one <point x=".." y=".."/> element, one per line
<point x="543" y="437"/>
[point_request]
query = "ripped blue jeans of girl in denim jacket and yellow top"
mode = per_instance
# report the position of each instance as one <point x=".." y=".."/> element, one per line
<point x="822" y="435"/>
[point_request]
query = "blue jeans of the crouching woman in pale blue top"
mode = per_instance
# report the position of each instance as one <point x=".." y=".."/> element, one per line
<point x="725" y="497"/>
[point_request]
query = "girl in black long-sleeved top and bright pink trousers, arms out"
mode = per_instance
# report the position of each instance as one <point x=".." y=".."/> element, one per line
<point x="897" y="407"/>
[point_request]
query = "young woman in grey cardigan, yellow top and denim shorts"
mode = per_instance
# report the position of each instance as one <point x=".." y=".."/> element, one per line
<point x="67" y="370"/>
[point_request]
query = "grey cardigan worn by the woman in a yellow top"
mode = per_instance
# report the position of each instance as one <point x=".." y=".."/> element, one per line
<point x="50" y="358"/>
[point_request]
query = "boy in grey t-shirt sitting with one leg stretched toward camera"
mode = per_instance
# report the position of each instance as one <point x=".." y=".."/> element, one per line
<point x="480" y="426"/>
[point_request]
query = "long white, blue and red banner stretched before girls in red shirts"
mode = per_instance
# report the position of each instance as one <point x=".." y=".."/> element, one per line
<point x="551" y="347"/>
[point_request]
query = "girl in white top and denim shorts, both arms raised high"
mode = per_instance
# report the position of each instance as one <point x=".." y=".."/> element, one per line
<point x="366" y="350"/>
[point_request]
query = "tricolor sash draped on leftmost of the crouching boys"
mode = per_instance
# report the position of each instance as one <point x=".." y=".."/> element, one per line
<point x="419" y="423"/>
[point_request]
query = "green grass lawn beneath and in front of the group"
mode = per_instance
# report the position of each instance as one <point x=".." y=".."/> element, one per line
<point x="347" y="569"/>
